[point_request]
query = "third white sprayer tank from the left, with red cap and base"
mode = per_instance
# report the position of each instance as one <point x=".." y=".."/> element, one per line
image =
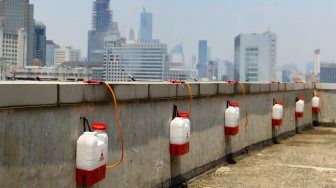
<point x="232" y="119"/>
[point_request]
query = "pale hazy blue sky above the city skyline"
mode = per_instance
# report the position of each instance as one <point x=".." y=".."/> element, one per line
<point x="301" y="25"/>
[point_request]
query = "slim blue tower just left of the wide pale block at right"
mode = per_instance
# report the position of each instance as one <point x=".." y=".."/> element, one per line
<point x="202" y="58"/>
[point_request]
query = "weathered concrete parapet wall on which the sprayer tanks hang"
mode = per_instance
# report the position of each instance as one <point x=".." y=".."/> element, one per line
<point x="40" y="124"/>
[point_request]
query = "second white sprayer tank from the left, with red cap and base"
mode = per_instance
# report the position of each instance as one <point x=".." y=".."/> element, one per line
<point x="180" y="134"/>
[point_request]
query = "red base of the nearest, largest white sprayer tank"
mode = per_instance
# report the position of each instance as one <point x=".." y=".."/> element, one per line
<point x="88" y="178"/>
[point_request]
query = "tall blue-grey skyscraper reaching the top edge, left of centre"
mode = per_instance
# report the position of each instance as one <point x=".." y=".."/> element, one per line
<point x="102" y="22"/>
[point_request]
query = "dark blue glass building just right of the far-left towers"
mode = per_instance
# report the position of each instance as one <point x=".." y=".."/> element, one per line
<point x="39" y="47"/>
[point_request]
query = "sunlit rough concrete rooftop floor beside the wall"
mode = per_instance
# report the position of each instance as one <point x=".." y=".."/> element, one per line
<point x="305" y="160"/>
